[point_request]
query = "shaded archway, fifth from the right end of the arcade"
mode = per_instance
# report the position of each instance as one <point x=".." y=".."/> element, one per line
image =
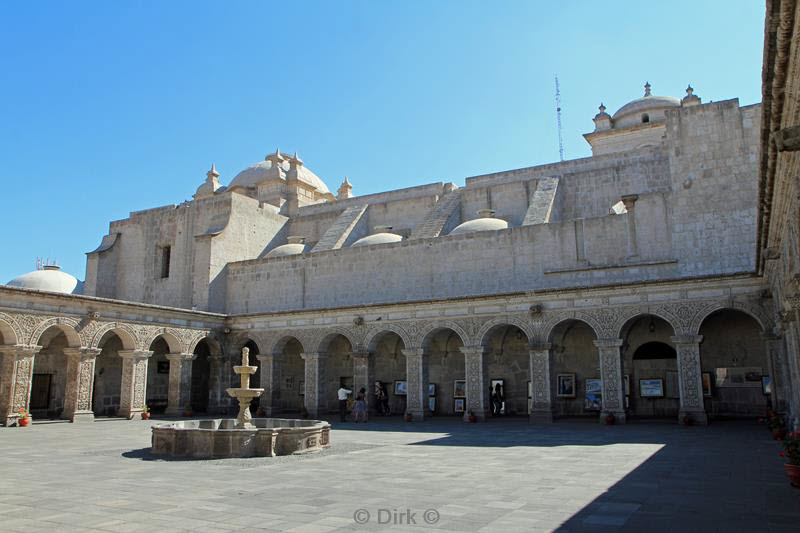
<point x="446" y="371"/>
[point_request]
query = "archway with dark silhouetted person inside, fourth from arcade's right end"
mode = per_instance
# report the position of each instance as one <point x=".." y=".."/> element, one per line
<point x="508" y="354"/>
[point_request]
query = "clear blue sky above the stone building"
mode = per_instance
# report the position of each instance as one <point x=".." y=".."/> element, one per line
<point x="112" y="107"/>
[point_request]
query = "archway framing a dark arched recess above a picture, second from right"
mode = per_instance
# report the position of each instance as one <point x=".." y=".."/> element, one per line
<point x="649" y="362"/>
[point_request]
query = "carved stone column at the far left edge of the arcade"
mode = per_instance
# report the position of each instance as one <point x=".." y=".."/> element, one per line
<point x="16" y="372"/>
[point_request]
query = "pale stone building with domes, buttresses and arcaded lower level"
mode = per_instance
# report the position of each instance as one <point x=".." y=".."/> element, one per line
<point x="625" y="283"/>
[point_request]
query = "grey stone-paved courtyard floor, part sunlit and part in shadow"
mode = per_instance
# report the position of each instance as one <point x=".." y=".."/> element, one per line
<point x="498" y="476"/>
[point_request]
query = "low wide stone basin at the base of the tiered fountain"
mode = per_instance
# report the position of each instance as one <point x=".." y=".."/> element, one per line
<point x="219" y="438"/>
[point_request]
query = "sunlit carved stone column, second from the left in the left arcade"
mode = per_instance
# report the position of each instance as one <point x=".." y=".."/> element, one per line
<point x="80" y="381"/>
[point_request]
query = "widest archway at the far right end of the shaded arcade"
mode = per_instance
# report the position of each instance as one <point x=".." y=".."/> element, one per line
<point x="733" y="360"/>
